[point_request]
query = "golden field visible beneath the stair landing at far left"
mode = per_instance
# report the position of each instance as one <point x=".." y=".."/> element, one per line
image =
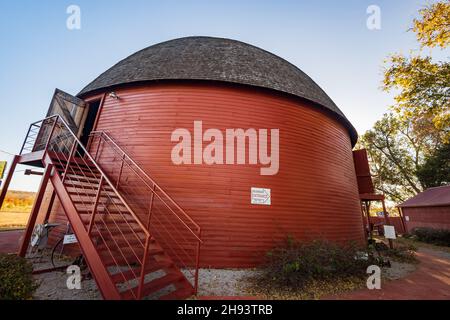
<point x="16" y="209"/>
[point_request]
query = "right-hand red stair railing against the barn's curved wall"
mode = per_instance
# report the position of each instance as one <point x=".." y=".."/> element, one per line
<point x="177" y="233"/>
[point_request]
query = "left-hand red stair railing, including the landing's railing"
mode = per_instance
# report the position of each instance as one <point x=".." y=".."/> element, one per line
<point x="116" y="227"/>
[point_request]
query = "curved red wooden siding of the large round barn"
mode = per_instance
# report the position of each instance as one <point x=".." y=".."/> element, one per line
<point x="314" y="194"/>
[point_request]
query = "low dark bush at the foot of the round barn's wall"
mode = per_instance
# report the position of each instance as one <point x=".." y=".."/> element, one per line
<point x="297" y="264"/>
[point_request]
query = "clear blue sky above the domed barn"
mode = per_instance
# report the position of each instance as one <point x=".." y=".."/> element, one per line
<point x="327" y="39"/>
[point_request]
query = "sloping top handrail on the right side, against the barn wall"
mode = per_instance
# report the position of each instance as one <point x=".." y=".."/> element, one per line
<point x="125" y="154"/>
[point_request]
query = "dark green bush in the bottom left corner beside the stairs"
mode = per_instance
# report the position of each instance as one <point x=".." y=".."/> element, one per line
<point x="16" y="281"/>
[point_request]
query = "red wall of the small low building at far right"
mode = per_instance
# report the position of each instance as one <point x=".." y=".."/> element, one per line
<point x="430" y="217"/>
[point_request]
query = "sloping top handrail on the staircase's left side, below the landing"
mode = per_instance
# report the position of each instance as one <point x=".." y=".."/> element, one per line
<point x="103" y="174"/>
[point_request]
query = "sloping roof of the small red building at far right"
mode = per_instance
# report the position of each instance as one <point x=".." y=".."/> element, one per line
<point x="433" y="197"/>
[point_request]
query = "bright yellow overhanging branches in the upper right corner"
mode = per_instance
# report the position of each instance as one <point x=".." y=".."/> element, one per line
<point x="424" y="84"/>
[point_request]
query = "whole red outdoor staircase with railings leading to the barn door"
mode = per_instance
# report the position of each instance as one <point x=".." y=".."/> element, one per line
<point x="138" y="243"/>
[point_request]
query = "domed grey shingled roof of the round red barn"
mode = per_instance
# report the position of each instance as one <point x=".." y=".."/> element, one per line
<point x="217" y="59"/>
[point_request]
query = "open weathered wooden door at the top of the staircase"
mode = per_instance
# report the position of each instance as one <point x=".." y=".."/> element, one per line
<point x="68" y="107"/>
